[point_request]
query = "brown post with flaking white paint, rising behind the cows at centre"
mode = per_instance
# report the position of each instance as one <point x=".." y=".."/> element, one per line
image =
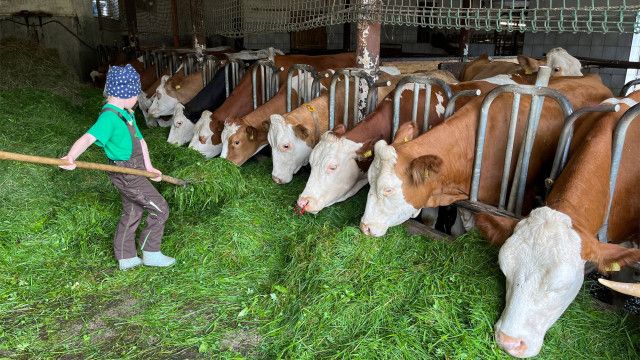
<point x="368" y="48"/>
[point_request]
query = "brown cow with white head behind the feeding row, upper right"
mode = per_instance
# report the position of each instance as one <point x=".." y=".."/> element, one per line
<point x="558" y="59"/>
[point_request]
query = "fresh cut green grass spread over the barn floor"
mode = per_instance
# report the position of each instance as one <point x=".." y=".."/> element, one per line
<point x="252" y="280"/>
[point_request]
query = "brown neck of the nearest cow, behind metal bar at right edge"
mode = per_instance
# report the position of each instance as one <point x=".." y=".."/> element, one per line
<point x="582" y="190"/>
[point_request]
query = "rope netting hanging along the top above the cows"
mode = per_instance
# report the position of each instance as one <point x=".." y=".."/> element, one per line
<point x="236" y="18"/>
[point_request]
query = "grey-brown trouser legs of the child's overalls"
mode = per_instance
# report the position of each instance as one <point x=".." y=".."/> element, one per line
<point x="138" y="194"/>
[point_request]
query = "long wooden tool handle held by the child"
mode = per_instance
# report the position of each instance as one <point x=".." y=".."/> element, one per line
<point x="4" y="155"/>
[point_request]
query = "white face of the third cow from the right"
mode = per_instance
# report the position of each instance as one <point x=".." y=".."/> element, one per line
<point x="335" y="175"/>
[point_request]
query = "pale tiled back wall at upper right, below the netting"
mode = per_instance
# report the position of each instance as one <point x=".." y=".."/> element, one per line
<point x="613" y="46"/>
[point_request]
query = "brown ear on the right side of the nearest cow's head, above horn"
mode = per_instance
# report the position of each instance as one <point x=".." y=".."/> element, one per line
<point x="608" y="257"/>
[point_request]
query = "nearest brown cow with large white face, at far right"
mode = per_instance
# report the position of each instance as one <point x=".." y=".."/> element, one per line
<point x="543" y="256"/>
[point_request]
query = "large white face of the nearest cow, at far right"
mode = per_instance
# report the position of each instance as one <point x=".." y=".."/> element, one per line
<point x="544" y="272"/>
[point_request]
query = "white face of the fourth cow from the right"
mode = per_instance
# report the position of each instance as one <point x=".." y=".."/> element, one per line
<point x="289" y="152"/>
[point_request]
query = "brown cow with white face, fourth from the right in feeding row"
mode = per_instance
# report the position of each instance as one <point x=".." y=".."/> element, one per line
<point x="292" y="136"/>
